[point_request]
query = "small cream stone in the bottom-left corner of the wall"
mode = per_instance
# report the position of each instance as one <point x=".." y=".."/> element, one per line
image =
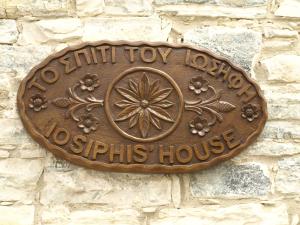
<point x="16" y="215"/>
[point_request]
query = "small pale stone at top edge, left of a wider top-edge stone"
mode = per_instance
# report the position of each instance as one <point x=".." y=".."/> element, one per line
<point x="89" y="8"/>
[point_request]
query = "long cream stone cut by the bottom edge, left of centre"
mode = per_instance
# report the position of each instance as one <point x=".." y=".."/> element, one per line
<point x="64" y="216"/>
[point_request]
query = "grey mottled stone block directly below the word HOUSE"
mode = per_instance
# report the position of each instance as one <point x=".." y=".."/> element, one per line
<point x="231" y="180"/>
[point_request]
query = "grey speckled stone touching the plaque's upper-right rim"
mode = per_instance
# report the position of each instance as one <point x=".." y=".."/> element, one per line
<point x="238" y="44"/>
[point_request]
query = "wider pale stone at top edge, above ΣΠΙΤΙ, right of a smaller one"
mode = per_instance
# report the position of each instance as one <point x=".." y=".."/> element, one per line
<point x="132" y="7"/>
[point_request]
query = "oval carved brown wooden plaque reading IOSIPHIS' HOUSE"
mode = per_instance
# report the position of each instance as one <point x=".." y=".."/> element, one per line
<point x="141" y="107"/>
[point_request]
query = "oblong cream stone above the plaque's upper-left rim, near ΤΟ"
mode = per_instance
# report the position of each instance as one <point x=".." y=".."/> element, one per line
<point x="49" y="31"/>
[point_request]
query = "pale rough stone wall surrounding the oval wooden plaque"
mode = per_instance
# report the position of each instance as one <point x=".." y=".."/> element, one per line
<point x="260" y="186"/>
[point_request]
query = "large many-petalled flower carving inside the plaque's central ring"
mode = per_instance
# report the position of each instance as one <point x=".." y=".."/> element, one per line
<point x="144" y="103"/>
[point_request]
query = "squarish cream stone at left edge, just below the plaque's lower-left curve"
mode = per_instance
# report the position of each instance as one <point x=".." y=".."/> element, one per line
<point x="19" y="178"/>
